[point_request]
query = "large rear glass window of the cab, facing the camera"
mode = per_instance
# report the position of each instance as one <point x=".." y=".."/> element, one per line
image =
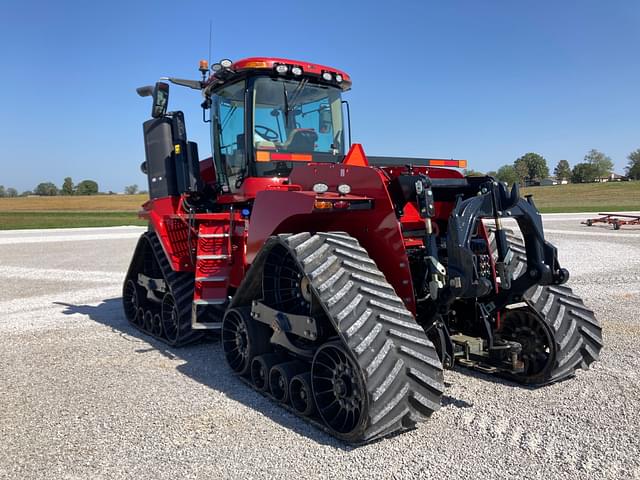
<point x="295" y="117"/>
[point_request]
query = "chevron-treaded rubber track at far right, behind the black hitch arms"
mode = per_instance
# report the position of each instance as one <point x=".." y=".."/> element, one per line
<point x="577" y="334"/>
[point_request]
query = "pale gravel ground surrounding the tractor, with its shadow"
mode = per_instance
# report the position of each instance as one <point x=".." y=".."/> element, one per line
<point x="82" y="395"/>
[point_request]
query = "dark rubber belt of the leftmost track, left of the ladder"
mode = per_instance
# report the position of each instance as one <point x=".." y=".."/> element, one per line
<point x="181" y="286"/>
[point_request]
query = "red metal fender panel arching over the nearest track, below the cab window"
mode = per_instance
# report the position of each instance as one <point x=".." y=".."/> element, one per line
<point x="377" y="230"/>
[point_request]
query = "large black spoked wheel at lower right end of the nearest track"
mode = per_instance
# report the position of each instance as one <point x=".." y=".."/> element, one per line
<point x="338" y="390"/>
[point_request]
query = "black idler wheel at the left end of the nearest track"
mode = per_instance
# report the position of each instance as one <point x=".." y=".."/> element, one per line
<point x="243" y="339"/>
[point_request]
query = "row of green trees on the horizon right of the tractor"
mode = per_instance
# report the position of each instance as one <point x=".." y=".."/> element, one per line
<point x="531" y="168"/>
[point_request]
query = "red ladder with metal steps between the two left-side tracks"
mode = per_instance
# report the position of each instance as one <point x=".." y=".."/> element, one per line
<point x="213" y="268"/>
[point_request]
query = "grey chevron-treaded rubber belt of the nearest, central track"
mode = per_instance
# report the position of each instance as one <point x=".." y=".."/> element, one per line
<point x="402" y="372"/>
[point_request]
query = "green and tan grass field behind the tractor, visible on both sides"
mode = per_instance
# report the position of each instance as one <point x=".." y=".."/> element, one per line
<point x="115" y="210"/>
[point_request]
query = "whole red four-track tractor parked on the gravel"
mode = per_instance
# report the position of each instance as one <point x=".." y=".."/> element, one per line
<point x="340" y="284"/>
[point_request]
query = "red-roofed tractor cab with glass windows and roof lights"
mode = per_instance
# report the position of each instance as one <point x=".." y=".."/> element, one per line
<point x="266" y="114"/>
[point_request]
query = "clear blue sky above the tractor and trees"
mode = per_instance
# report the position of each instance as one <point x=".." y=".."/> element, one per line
<point x="485" y="81"/>
